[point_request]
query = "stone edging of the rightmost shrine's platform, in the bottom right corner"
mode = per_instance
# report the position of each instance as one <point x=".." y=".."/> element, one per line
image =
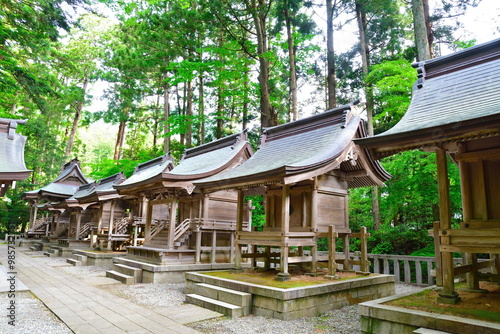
<point x="378" y="318"/>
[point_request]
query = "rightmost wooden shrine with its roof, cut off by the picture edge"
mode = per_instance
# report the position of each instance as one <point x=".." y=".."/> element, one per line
<point x="455" y="111"/>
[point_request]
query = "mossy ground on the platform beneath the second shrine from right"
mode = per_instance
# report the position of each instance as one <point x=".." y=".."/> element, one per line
<point x="267" y="277"/>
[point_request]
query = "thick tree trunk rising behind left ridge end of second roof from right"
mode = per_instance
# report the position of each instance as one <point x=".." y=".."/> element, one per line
<point x="268" y="116"/>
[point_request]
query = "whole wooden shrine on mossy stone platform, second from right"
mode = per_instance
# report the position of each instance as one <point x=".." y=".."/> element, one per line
<point x="304" y="169"/>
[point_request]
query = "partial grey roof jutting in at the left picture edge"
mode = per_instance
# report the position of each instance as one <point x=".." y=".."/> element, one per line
<point x="12" y="166"/>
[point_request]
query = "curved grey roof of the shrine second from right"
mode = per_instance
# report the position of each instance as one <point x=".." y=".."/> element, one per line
<point x="307" y="147"/>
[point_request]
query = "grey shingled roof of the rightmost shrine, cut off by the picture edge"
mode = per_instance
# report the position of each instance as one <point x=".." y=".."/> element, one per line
<point x="455" y="97"/>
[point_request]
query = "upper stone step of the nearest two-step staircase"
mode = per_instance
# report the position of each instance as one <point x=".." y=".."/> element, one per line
<point x="234" y="297"/>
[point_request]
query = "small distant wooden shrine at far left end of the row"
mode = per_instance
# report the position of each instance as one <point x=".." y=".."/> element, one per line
<point x="51" y="199"/>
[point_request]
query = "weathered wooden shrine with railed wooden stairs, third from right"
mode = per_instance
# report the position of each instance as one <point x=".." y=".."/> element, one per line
<point x="181" y="223"/>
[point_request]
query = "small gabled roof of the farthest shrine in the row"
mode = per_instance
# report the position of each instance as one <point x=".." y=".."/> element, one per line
<point x="64" y="186"/>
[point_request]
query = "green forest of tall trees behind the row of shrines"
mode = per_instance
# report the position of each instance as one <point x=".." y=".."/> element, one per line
<point x="174" y="74"/>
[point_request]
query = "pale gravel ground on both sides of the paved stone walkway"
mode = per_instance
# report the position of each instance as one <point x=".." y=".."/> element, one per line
<point x="34" y="315"/>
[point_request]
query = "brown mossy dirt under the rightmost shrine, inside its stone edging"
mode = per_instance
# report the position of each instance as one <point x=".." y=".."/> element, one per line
<point x="482" y="306"/>
